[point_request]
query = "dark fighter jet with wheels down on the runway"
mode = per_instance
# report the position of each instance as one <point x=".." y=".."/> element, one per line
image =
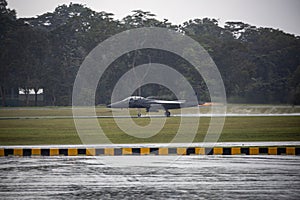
<point x="151" y="104"/>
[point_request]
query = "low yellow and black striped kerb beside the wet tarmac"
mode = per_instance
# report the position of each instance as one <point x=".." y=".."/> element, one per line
<point x="149" y="151"/>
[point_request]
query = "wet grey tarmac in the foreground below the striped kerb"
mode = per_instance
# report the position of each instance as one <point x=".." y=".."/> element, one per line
<point x="150" y="177"/>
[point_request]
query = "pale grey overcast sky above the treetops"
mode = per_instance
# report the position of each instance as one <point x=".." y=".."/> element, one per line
<point x="278" y="14"/>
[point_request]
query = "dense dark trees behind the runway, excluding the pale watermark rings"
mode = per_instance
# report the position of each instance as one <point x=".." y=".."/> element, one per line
<point x="258" y="65"/>
